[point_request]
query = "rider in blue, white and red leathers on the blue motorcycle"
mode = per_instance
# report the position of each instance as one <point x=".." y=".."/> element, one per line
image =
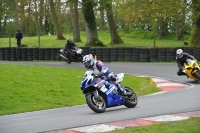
<point x="92" y="64"/>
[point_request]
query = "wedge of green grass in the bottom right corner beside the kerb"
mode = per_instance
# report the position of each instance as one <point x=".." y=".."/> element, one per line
<point x="190" y="125"/>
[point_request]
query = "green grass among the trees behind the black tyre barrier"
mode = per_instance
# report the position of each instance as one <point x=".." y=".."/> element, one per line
<point x="133" y="39"/>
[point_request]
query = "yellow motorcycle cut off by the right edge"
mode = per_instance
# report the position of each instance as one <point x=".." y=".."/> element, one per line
<point x="192" y="69"/>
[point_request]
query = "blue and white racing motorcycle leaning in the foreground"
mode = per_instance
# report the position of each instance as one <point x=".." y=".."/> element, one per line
<point x="100" y="96"/>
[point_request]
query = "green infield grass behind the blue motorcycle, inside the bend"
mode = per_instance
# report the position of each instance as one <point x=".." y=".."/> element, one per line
<point x="27" y="88"/>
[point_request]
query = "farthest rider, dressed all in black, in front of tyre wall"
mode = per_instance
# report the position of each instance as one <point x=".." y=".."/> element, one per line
<point x="69" y="46"/>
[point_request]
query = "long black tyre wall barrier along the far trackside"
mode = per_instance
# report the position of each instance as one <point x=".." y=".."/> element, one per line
<point x="103" y="54"/>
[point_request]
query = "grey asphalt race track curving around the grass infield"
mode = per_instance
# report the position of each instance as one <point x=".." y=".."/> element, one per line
<point x="180" y="101"/>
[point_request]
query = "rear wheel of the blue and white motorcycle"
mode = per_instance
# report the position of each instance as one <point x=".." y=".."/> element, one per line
<point x="131" y="101"/>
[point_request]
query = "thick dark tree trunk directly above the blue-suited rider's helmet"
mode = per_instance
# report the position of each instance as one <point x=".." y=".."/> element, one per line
<point x="90" y="23"/>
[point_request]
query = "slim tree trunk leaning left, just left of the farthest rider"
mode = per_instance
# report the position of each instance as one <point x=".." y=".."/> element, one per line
<point x="55" y="21"/>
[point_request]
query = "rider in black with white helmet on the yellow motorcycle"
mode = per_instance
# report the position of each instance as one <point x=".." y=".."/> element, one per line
<point x="181" y="58"/>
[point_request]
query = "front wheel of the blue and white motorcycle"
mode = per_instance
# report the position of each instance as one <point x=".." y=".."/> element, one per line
<point x="98" y="105"/>
